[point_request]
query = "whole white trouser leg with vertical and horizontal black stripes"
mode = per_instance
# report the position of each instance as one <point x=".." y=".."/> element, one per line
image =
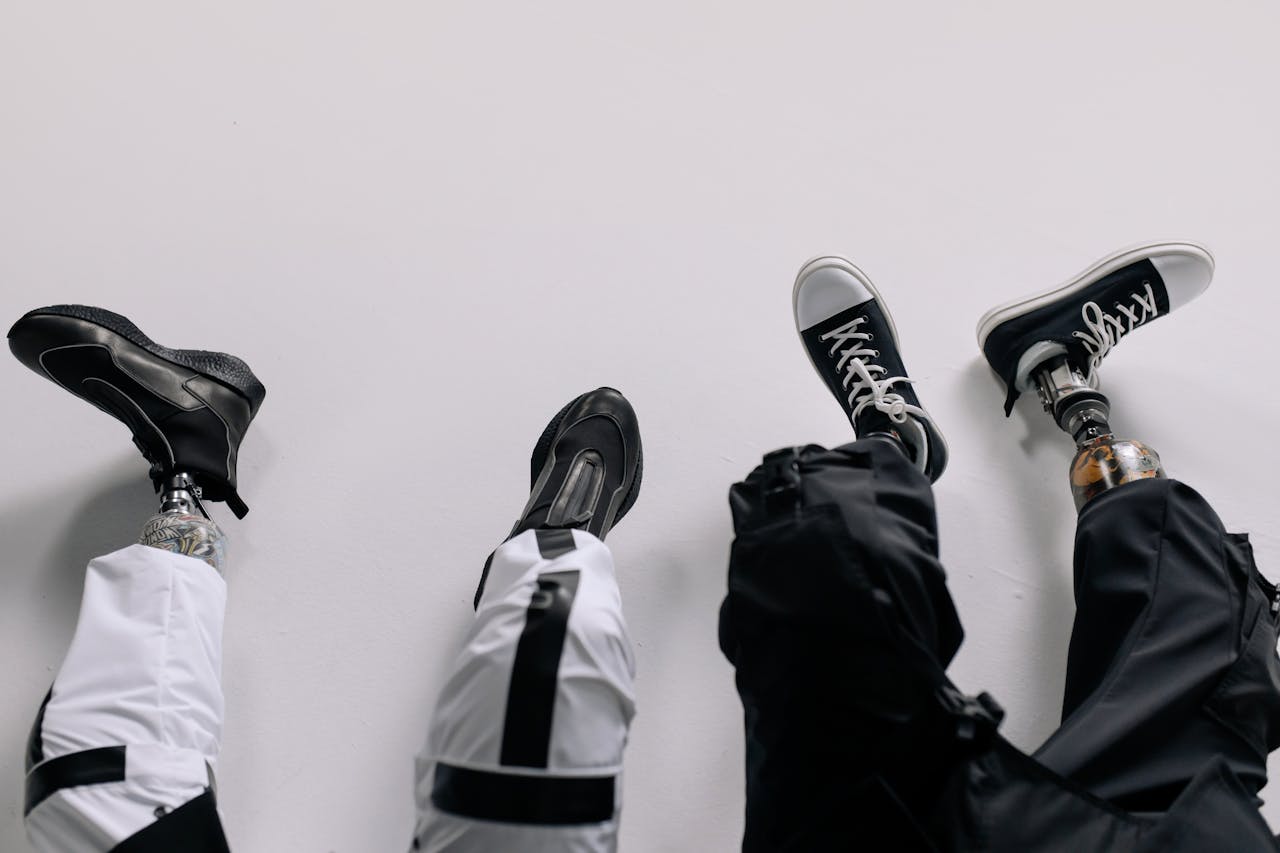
<point x="525" y="747"/>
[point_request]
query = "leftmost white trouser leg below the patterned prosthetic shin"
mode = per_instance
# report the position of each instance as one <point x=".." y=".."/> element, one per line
<point x="144" y="673"/>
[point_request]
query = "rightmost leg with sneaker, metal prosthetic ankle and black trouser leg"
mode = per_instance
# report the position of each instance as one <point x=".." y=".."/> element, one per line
<point x="1173" y="685"/>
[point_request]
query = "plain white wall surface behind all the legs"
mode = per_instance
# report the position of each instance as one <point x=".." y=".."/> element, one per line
<point x="428" y="226"/>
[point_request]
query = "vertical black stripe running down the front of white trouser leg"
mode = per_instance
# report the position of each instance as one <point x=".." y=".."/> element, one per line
<point x="527" y="735"/>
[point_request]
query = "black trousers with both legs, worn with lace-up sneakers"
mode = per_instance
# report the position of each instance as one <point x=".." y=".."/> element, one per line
<point x="840" y="627"/>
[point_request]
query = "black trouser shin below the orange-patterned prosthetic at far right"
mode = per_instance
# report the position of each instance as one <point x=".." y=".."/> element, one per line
<point x="1173" y="660"/>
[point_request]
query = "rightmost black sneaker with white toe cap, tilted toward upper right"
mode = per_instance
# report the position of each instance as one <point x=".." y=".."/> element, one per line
<point x="1089" y="316"/>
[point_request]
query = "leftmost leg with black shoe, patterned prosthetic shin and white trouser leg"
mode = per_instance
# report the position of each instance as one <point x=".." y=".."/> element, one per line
<point x="124" y="750"/>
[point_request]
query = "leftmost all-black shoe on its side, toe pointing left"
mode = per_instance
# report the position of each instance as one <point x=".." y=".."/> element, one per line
<point x="188" y="409"/>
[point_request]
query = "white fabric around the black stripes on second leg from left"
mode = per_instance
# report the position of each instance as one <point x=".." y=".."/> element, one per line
<point x="593" y="711"/>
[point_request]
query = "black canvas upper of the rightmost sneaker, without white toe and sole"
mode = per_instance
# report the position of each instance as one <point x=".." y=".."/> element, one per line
<point x="1058" y="321"/>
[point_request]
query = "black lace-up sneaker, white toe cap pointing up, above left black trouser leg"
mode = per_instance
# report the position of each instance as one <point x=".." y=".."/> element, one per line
<point x="852" y="341"/>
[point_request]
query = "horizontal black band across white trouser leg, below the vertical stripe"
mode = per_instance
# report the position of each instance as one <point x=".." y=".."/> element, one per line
<point x="523" y="800"/>
